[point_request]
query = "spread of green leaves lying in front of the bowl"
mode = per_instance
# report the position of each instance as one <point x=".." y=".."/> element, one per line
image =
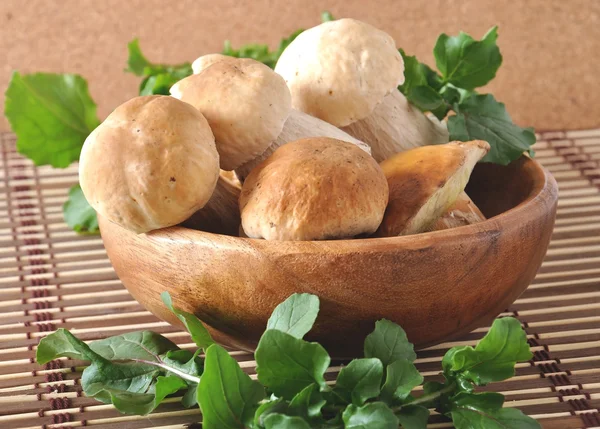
<point x="137" y="371"/>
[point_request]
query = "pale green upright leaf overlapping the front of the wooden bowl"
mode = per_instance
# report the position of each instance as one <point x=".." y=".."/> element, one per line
<point x="296" y="315"/>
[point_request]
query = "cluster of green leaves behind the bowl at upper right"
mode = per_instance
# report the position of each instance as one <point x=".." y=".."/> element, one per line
<point x="465" y="64"/>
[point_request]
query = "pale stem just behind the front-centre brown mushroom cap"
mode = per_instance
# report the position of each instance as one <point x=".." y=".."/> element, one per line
<point x="300" y="125"/>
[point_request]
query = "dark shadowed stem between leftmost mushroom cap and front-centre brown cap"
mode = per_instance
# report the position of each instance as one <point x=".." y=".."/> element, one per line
<point x="221" y="215"/>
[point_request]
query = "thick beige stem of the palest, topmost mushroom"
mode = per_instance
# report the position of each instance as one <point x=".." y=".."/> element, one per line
<point x="396" y="126"/>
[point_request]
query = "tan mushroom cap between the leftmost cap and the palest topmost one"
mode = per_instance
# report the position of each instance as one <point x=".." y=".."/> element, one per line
<point x="245" y="103"/>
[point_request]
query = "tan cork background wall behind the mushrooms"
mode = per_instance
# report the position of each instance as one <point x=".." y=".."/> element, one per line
<point x="550" y="77"/>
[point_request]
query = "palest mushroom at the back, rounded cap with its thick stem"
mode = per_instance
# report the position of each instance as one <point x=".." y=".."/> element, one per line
<point x="346" y="72"/>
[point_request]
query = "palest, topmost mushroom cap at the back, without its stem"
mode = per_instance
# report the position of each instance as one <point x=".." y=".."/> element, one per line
<point x="340" y="70"/>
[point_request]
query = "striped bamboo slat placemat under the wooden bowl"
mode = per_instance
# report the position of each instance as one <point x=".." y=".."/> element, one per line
<point x="50" y="278"/>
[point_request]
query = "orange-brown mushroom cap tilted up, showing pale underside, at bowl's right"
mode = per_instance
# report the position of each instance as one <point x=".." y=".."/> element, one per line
<point x="424" y="182"/>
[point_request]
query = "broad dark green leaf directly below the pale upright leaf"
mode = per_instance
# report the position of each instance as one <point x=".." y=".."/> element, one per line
<point x="286" y="364"/>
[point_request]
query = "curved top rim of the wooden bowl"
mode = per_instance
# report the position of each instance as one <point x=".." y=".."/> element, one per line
<point x="544" y="189"/>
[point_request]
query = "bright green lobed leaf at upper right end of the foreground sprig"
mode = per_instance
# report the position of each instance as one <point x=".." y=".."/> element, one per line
<point x="494" y="357"/>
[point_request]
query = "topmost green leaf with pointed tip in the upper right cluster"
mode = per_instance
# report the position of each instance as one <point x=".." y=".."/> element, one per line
<point x="465" y="62"/>
